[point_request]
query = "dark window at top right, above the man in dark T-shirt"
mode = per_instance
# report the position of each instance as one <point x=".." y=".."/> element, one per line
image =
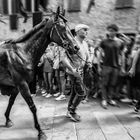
<point x="122" y="4"/>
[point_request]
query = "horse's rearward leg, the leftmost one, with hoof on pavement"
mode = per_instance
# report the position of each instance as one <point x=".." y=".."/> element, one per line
<point x="12" y="98"/>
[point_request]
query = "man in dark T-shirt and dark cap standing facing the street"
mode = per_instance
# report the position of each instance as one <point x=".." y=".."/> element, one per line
<point x="112" y="47"/>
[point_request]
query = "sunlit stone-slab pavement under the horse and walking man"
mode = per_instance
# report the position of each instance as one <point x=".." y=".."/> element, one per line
<point x="115" y="123"/>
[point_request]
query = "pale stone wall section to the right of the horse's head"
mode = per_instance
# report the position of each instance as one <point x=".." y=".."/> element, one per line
<point x="104" y="13"/>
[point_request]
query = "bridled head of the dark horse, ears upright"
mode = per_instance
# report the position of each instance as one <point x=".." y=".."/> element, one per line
<point x="60" y="33"/>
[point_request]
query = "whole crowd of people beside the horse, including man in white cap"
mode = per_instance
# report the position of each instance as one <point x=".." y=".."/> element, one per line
<point x="113" y="59"/>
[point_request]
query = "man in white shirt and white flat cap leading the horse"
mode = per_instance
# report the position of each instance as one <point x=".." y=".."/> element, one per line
<point x="77" y="63"/>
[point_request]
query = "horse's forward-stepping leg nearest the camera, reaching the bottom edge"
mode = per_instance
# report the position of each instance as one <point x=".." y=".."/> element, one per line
<point x="25" y="92"/>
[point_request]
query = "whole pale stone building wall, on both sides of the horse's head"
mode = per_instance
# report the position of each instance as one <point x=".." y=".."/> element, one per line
<point x="102" y="14"/>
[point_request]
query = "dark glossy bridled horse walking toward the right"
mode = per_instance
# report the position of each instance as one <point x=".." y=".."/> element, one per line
<point x="18" y="62"/>
